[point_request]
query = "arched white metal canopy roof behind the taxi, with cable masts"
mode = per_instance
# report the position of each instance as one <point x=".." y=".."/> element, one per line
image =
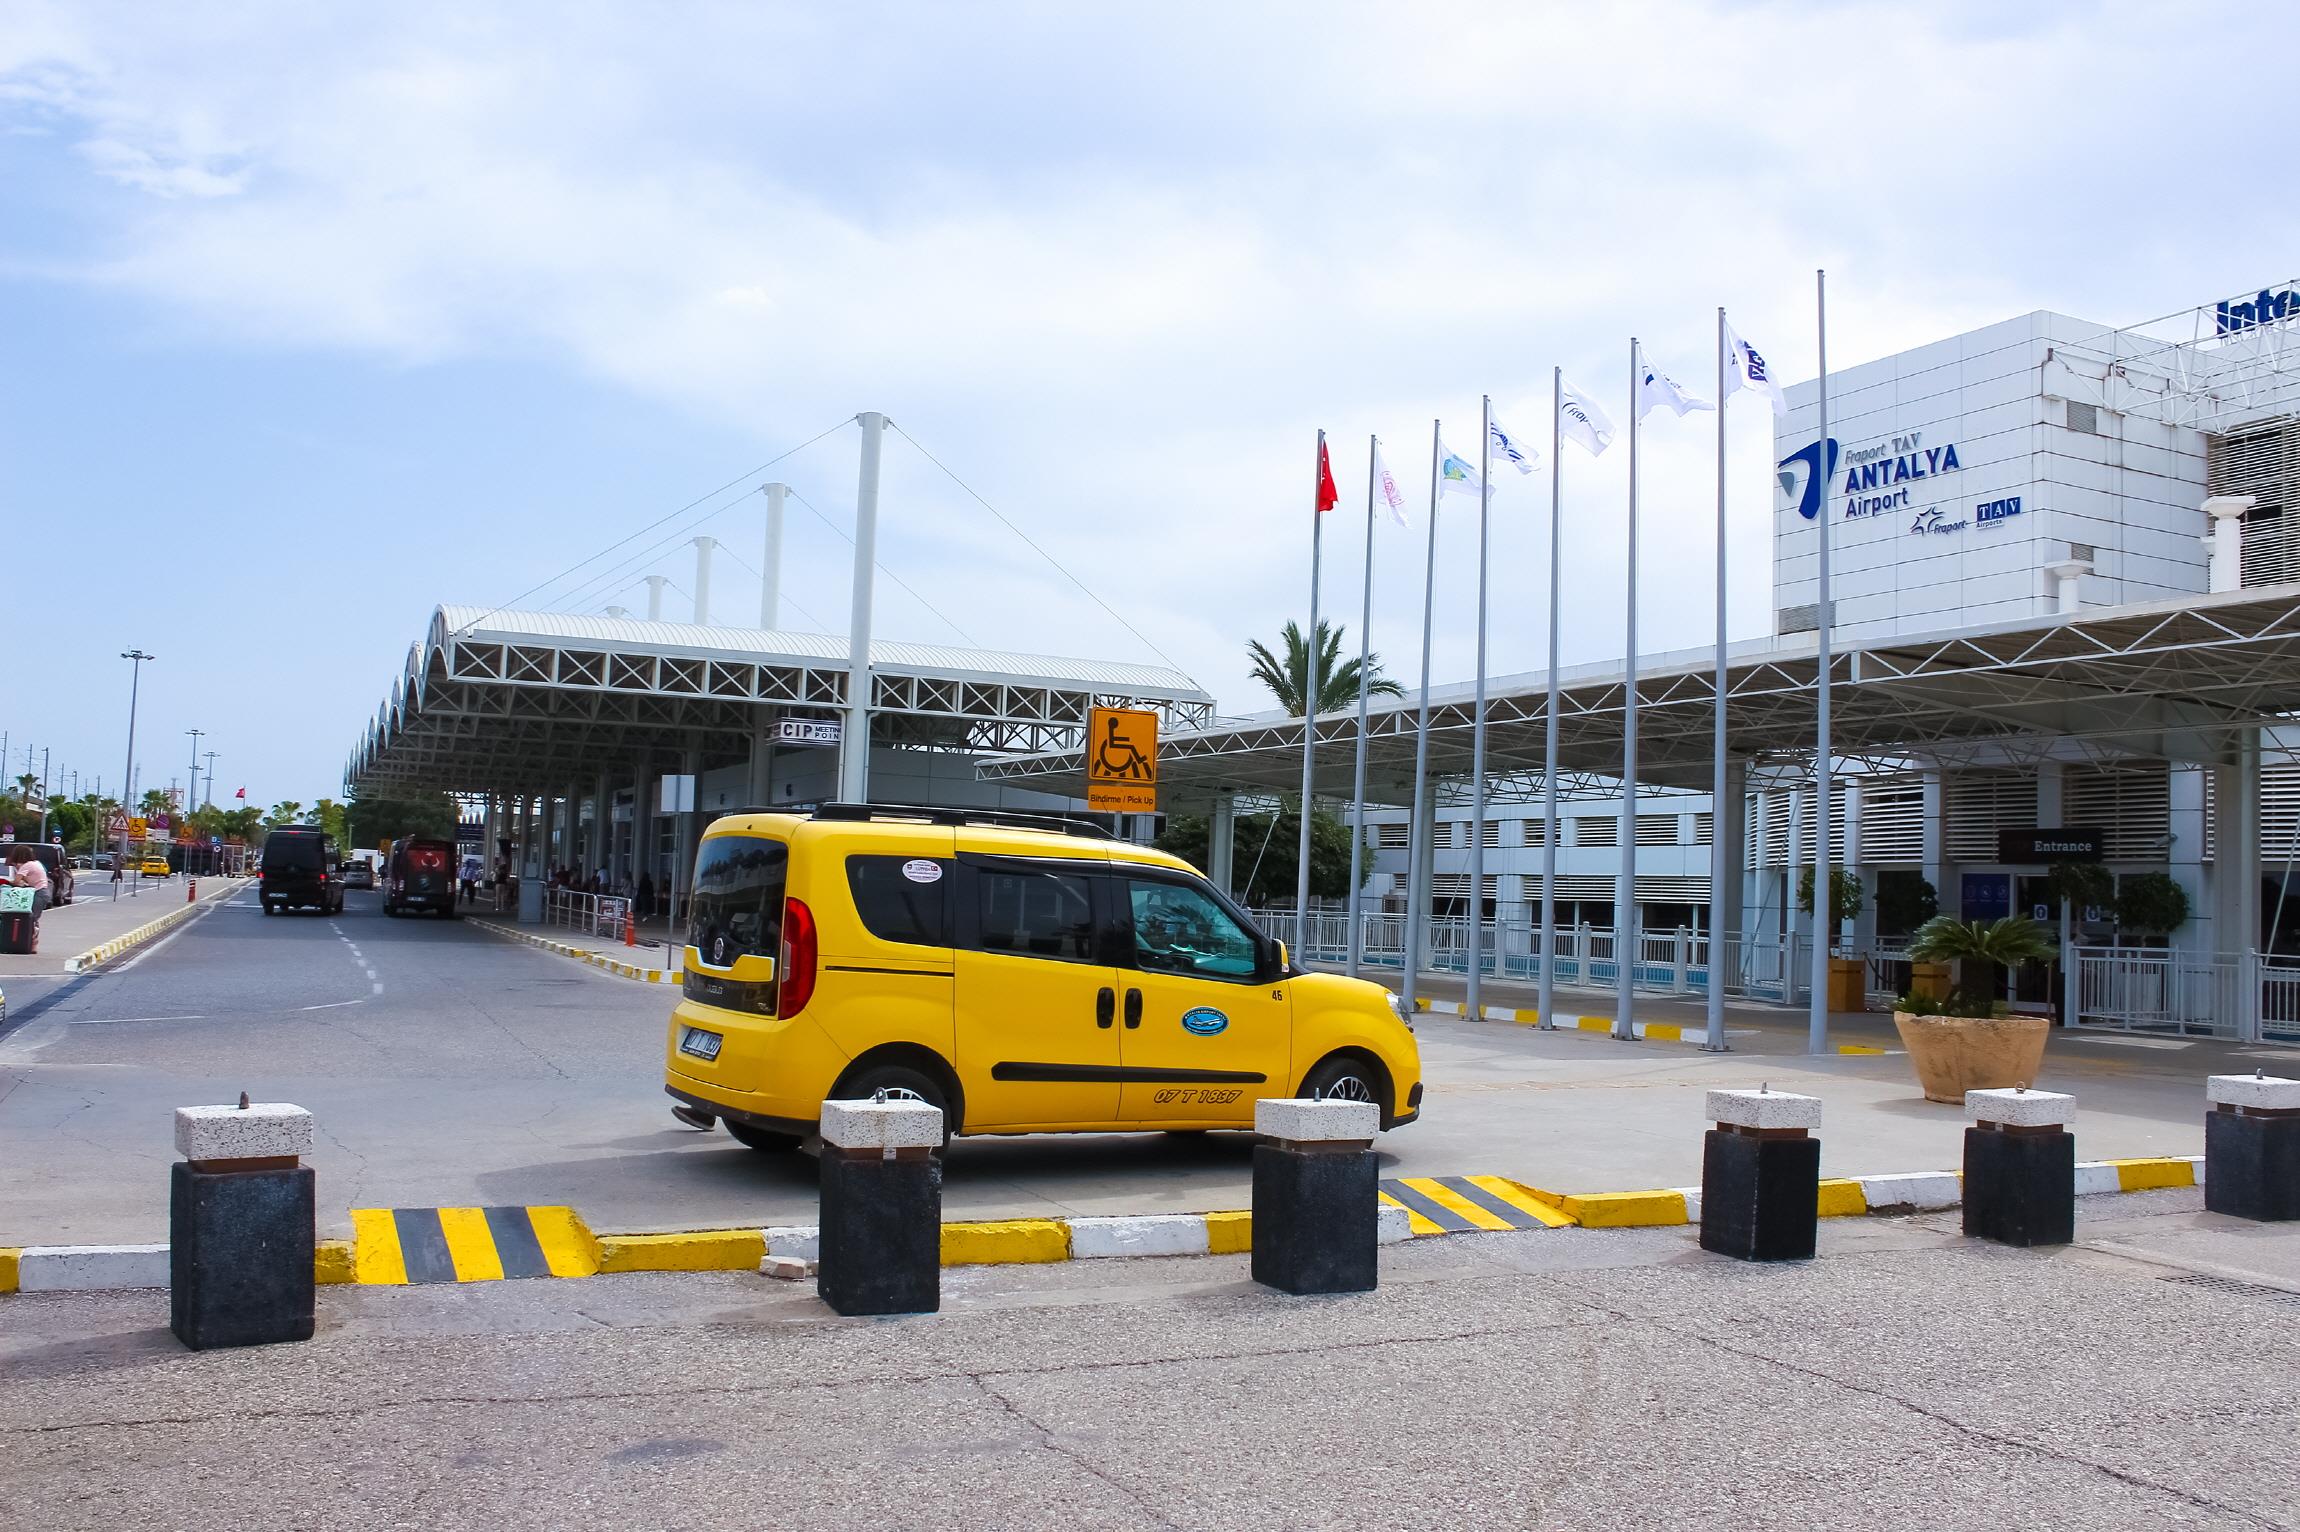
<point x="537" y="700"/>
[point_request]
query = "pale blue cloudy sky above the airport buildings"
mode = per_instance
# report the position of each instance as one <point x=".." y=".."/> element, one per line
<point x="321" y="316"/>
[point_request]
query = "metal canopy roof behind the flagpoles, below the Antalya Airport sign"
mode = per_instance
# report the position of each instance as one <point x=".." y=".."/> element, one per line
<point x="2145" y="682"/>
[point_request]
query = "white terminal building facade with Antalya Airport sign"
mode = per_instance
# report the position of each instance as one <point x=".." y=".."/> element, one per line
<point x="2016" y="473"/>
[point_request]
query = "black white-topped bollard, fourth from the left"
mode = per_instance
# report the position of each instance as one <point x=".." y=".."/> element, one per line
<point x="1763" y="1177"/>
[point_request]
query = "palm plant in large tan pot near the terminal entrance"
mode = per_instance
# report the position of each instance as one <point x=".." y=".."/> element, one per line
<point x="1963" y="1043"/>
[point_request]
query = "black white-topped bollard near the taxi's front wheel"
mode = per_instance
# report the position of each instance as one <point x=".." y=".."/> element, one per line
<point x="1317" y="1197"/>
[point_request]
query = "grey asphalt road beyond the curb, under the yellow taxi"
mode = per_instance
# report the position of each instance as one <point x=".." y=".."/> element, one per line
<point x="457" y="1068"/>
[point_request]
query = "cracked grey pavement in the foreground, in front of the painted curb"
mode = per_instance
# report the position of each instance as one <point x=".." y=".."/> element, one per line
<point x="1558" y="1381"/>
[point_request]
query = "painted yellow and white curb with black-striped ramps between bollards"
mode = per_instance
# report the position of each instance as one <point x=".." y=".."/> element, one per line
<point x="454" y="1246"/>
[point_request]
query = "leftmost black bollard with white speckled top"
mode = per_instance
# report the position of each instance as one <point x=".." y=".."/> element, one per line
<point x="240" y="1227"/>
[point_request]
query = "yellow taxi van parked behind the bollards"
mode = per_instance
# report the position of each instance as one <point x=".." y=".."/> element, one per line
<point x="1022" y="974"/>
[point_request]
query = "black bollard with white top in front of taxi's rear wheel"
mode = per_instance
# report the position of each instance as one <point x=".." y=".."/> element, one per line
<point x="882" y="1216"/>
